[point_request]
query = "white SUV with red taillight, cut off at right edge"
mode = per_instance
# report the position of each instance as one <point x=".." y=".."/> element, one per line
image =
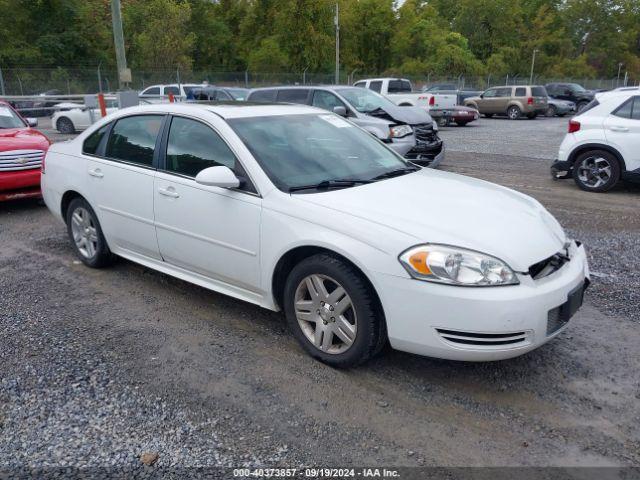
<point x="603" y="143"/>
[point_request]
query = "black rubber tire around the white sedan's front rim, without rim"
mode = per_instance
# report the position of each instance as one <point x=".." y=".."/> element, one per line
<point x="370" y="336"/>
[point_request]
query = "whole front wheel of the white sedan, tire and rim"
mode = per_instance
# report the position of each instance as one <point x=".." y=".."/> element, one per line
<point x="333" y="312"/>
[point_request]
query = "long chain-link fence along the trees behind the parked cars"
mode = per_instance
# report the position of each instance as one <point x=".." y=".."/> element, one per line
<point x="87" y="80"/>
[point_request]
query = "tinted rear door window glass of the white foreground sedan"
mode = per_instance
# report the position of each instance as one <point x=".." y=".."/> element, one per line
<point x="133" y="139"/>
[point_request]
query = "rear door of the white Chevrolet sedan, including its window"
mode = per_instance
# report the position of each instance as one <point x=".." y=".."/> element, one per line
<point x="121" y="174"/>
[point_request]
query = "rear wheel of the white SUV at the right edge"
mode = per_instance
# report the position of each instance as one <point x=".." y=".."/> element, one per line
<point x="596" y="171"/>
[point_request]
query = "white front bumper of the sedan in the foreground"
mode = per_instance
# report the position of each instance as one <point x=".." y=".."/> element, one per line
<point x="421" y="316"/>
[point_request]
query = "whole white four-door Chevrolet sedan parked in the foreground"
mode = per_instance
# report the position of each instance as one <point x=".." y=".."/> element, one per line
<point x="297" y="209"/>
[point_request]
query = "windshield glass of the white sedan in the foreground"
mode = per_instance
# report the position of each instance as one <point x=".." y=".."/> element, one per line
<point x="297" y="150"/>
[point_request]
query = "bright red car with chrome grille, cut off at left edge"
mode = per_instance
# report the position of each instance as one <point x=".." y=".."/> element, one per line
<point x="22" y="150"/>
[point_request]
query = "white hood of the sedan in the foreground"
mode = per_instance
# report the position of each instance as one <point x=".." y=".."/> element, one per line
<point x="439" y="207"/>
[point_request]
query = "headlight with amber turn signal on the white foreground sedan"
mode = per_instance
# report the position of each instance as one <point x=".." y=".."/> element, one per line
<point x="456" y="266"/>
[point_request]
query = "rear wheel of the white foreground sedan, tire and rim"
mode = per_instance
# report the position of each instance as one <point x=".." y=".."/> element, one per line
<point x="86" y="235"/>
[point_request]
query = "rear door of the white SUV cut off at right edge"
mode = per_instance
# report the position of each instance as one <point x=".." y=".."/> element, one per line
<point x="622" y="130"/>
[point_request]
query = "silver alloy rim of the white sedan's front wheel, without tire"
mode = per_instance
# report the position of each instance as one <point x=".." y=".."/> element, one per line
<point x="325" y="314"/>
